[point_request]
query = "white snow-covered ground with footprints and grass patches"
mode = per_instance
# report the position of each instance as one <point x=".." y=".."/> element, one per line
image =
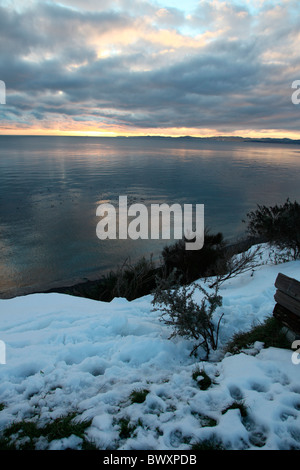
<point x="65" y="354"/>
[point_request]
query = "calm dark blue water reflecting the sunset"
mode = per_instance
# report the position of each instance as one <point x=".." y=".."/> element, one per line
<point x="50" y="188"/>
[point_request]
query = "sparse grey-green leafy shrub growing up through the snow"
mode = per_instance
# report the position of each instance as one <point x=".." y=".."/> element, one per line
<point x="188" y="318"/>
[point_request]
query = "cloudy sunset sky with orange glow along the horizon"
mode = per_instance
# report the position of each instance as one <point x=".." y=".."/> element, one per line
<point x="135" y="67"/>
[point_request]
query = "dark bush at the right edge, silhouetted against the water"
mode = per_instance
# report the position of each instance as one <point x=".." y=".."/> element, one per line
<point x="279" y="225"/>
